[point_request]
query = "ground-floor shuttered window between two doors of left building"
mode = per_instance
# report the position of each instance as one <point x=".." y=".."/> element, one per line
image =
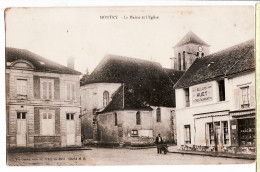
<point x="47" y="123"/>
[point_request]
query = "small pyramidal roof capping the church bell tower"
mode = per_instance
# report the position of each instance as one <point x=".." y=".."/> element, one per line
<point x="191" y="37"/>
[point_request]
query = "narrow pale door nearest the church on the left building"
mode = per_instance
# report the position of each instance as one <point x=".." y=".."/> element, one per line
<point x="70" y="129"/>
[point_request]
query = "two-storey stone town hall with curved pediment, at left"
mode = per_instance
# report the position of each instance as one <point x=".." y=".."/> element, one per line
<point x="43" y="102"/>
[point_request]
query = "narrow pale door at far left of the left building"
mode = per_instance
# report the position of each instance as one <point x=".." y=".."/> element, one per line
<point x="21" y="129"/>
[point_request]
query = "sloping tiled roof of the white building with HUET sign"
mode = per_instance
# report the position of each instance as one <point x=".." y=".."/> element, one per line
<point x="226" y="63"/>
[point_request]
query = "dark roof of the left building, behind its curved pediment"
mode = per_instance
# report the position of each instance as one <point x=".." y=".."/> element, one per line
<point x="40" y="64"/>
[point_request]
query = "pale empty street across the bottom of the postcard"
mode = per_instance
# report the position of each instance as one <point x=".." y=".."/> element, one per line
<point x="110" y="156"/>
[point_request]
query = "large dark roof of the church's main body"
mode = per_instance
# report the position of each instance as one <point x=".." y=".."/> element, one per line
<point x="146" y="83"/>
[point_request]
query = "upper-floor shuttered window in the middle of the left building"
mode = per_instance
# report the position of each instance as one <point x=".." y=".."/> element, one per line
<point x="47" y="89"/>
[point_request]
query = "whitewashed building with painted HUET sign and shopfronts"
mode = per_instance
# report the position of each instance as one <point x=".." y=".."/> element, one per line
<point x="216" y="101"/>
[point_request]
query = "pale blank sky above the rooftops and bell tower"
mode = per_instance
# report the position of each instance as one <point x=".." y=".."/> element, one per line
<point x="60" y="33"/>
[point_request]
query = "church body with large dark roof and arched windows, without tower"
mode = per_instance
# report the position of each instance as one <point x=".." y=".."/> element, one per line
<point x="129" y="101"/>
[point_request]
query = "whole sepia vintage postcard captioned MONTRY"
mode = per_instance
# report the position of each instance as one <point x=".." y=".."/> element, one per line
<point x="168" y="85"/>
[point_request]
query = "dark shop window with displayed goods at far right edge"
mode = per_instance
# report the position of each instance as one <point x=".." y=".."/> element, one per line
<point x="247" y="133"/>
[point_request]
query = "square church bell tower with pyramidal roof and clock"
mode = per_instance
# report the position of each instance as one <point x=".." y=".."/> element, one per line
<point x="187" y="50"/>
